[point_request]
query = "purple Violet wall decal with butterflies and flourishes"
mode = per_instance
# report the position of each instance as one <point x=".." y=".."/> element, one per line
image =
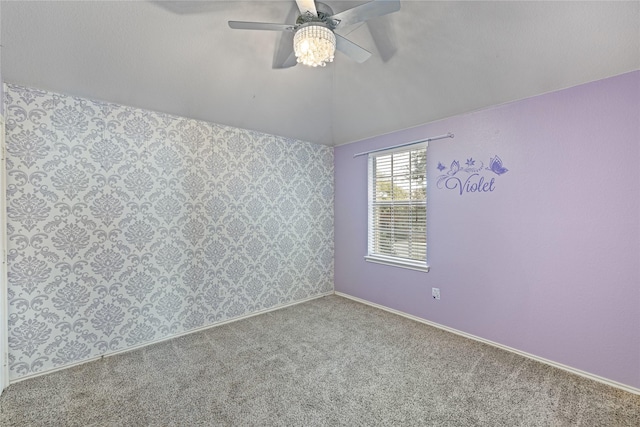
<point x="473" y="177"/>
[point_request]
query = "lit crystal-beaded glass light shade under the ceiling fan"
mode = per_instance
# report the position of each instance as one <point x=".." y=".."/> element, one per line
<point x="314" y="45"/>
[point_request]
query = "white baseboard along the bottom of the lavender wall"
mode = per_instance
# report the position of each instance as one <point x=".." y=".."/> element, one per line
<point x="570" y="369"/>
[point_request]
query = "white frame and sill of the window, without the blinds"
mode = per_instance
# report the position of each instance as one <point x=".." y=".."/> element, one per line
<point x="380" y="258"/>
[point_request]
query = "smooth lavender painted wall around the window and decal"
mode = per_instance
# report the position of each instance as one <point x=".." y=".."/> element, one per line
<point x="547" y="263"/>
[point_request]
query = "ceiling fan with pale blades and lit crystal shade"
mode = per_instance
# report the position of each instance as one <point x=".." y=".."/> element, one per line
<point x="314" y="38"/>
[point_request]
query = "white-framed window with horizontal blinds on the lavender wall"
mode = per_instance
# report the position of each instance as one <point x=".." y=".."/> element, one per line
<point x="398" y="207"/>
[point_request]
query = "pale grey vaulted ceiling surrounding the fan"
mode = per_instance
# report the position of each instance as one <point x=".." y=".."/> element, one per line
<point x="430" y="60"/>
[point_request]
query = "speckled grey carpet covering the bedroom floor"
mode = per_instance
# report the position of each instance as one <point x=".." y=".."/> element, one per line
<point x="330" y="361"/>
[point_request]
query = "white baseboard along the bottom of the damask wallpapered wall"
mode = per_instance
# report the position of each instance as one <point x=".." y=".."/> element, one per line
<point x="167" y="338"/>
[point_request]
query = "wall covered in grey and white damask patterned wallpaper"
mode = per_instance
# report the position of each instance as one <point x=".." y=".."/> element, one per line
<point x="126" y="226"/>
